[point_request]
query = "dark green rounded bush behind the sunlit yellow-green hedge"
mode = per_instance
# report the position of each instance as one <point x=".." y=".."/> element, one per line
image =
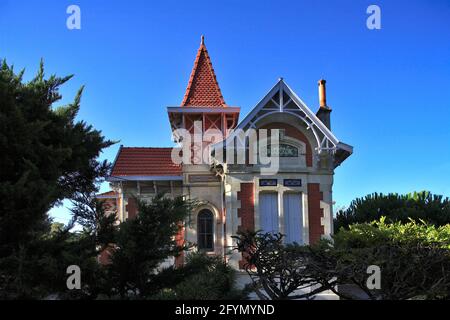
<point x="434" y="209"/>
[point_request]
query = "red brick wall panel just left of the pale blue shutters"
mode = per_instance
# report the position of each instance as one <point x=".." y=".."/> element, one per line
<point x="247" y="210"/>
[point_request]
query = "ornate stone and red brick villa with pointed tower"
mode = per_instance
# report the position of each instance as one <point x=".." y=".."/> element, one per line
<point x="295" y="199"/>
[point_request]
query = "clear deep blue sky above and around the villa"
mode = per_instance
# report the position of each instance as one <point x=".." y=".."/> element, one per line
<point x="389" y="88"/>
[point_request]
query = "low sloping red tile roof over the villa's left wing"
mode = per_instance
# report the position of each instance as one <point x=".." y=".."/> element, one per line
<point x="145" y="162"/>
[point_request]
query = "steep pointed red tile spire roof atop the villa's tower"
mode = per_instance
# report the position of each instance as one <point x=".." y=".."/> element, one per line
<point x="203" y="89"/>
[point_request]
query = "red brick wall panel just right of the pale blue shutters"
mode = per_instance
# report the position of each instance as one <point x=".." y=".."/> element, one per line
<point x="315" y="213"/>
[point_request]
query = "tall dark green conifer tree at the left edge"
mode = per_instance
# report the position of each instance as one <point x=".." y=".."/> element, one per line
<point x="47" y="156"/>
